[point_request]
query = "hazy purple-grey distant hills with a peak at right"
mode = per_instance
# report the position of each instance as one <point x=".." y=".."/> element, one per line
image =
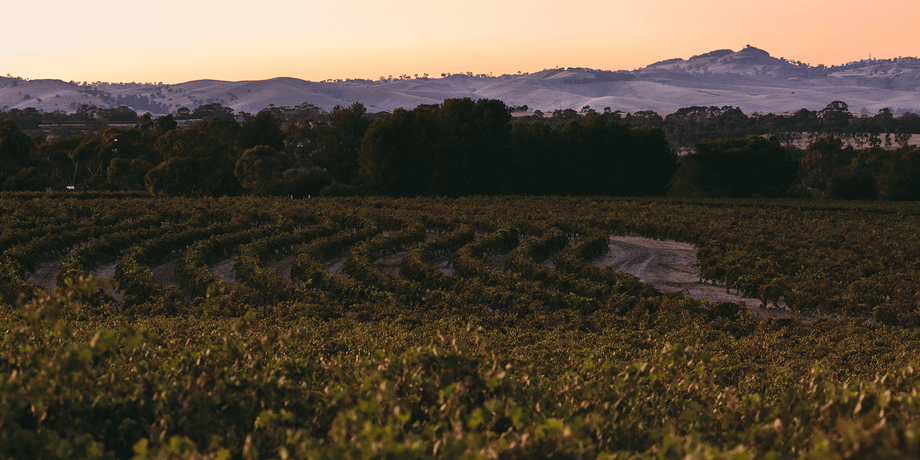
<point x="750" y="79"/>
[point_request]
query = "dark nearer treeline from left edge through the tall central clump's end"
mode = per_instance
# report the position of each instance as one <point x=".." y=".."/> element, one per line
<point x="460" y="147"/>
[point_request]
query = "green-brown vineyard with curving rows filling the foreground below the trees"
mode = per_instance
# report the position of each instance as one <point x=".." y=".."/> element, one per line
<point x="478" y="327"/>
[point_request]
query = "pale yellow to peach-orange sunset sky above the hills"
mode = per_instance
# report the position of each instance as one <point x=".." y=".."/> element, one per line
<point x="175" y="41"/>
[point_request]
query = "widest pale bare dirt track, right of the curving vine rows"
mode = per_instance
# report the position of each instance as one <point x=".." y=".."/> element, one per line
<point x="668" y="265"/>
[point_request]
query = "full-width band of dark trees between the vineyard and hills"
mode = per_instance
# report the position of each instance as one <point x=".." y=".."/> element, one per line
<point x="467" y="147"/>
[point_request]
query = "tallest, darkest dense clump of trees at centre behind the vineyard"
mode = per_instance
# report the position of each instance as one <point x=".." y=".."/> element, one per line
<point x="466" y="147"/>
